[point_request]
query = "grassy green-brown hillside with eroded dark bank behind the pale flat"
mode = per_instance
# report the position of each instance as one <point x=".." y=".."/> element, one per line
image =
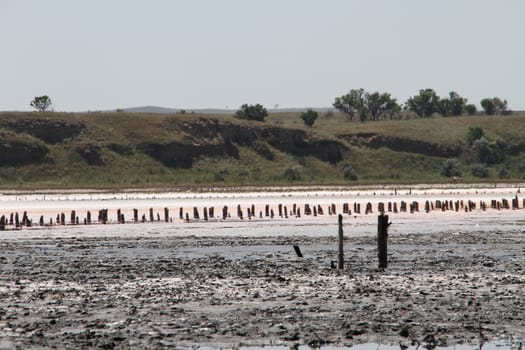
<point x="123" y="150"/>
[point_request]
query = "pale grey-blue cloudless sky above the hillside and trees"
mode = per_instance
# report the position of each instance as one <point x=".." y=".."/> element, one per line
<point x="108" y="54"/>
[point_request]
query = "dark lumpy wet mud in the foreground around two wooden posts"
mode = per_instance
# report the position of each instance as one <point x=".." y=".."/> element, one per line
<point x="155" y="292"/>
